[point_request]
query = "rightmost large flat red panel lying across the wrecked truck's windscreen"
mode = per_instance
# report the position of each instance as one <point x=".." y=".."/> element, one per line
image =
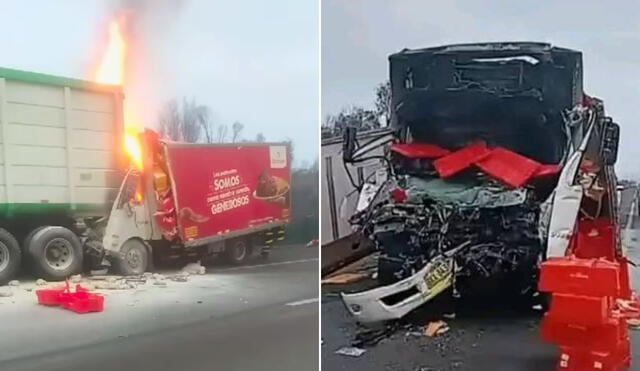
<point x="509" y="167"/>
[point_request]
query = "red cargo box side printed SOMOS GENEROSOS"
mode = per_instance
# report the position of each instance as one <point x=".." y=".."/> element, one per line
<point x="224" y="188"/>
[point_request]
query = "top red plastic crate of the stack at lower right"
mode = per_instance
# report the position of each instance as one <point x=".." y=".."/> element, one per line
<point x="594" y="277"/>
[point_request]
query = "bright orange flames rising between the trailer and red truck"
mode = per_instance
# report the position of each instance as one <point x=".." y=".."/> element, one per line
<point x="111" y="70"/>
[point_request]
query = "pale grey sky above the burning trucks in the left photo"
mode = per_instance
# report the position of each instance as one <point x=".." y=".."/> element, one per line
<point x="250" y="61"/>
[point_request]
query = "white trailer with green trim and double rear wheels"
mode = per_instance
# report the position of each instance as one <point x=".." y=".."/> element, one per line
<point x="61" y="164"/>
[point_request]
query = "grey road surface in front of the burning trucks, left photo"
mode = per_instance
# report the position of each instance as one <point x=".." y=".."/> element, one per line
<point x="261" y="317"/>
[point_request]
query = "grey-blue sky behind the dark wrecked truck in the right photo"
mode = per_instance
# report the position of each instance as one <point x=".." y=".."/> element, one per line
<point x="359" y="35"/>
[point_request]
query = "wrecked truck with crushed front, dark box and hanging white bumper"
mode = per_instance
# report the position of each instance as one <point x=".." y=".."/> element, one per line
<point x="480" y="137"/>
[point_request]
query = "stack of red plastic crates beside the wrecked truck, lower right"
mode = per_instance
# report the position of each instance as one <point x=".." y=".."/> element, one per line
<point x="582" y="319"/>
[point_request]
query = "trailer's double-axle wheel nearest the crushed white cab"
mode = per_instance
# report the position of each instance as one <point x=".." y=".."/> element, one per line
<point x="55" y="253"/>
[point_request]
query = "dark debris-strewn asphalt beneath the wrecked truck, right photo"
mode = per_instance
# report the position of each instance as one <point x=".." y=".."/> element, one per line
<point x="497" y="340"/>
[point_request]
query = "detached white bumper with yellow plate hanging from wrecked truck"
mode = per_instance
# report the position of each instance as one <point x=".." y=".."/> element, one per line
<point x="371" y="306"/>
